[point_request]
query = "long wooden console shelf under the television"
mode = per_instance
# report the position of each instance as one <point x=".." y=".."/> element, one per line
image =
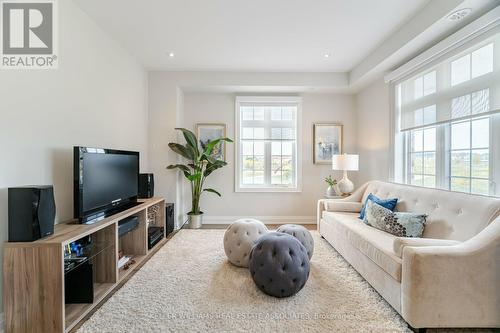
<point x="34" y="297"/>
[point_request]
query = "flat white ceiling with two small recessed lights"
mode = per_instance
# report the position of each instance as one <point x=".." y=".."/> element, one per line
<point x="251" y="35"/>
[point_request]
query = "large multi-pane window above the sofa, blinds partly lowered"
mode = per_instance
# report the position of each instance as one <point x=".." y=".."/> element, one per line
<point x="447" y="132"/>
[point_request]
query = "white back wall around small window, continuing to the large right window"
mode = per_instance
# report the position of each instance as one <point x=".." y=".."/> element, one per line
<point x="209" y="96"/>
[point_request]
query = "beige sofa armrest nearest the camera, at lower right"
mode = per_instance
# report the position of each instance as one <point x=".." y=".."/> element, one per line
<point x="453" y="286"/>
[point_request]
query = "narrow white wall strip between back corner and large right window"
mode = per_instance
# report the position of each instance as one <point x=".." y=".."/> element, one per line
<point x="373" y="120"/>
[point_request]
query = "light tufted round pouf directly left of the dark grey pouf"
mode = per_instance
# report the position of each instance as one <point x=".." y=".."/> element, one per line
<point x="239" y="239"/>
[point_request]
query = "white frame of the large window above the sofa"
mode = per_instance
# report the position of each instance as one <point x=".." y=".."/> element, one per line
<point x="481" y="30"/>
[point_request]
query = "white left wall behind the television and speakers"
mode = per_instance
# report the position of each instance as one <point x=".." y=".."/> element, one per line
<point x="97" y="97"/>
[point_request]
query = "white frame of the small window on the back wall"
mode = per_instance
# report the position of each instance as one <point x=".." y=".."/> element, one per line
<point x="238" y="187"/>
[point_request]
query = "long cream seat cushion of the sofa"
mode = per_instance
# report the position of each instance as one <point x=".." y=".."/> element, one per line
<point x="377" y="245"/>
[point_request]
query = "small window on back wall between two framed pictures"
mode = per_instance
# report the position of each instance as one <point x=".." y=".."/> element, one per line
<point x="268" y="145"/>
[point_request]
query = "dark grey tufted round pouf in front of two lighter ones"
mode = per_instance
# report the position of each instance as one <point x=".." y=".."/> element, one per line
<point x="279" y="264"/>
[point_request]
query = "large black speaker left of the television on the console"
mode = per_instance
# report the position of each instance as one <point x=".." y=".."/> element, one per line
<point x="32" y="212"/>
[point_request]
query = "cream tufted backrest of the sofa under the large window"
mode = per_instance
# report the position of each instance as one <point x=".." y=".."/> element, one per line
<point x="451" y="215"/>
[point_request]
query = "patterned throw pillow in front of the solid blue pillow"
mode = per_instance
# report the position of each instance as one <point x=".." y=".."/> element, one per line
<point x="397" y="223"/>
